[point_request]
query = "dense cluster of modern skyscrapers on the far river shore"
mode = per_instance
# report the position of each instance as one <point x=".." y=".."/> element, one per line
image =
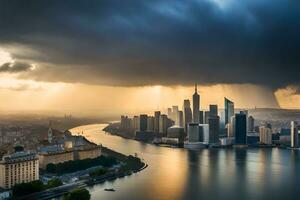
<point x="207" y="128"/>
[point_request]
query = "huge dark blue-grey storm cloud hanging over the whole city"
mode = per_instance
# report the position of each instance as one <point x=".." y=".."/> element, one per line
<point x="140" y="42"/>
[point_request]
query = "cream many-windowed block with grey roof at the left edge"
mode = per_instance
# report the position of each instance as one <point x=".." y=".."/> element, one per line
<point x="19" y="167"/>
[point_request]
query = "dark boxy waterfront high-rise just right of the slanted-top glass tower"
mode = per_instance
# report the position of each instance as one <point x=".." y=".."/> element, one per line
<point x="240" y="129"/>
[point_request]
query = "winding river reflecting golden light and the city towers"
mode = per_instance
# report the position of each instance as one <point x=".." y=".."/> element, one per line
<point x="175" y="174"/>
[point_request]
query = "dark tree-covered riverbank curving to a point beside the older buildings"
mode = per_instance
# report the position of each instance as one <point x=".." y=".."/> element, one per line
<point x="126" y="165"/>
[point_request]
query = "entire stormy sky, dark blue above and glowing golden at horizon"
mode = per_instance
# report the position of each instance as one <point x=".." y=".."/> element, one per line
<point x="112" y="56"/>
